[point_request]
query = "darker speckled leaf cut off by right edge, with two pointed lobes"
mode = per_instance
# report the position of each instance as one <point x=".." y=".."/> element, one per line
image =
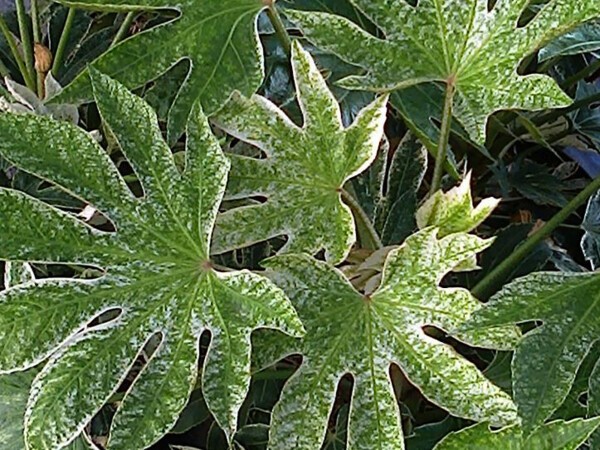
<point x="546" y="361"/>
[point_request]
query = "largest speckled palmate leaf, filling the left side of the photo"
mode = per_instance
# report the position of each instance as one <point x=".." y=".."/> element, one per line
<point x="157" y="276"/>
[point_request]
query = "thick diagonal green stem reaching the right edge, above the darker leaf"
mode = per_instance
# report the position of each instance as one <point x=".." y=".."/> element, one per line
<point x="491" y="282"/>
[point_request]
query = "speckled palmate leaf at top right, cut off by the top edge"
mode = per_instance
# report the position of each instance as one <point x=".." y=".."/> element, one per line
<point x="452" y="41"/>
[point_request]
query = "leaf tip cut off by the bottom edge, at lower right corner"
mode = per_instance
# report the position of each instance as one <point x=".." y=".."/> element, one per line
<point x="559" y="435"/>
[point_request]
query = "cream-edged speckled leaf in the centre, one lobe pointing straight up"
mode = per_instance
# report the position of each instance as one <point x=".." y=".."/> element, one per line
<point x="304" y="169"/>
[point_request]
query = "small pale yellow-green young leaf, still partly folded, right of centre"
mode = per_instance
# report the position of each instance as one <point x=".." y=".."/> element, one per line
<point x="453" y="211"/>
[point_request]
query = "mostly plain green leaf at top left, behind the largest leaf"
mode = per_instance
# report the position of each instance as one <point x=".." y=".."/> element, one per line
<point x="218" y="38"/>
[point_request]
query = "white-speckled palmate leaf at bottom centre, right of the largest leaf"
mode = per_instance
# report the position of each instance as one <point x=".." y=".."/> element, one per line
<point x="351" y="333"/>
